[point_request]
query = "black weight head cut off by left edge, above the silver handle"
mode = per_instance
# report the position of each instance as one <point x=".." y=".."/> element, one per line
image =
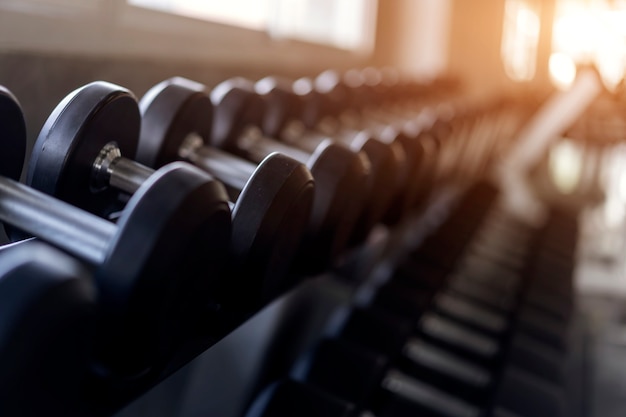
<point x="12" y="136"/>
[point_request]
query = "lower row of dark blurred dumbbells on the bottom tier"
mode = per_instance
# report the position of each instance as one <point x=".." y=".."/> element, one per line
<point x="475" y="322"/>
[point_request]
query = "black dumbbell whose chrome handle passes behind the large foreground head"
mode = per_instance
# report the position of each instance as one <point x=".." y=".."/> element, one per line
<point x="268" y="219"/>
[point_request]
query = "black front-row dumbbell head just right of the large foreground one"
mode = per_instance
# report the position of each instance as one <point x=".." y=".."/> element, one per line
<point x="269" y="220"/>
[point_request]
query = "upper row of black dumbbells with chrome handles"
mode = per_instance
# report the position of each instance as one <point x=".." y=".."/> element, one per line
<point x="170" y="253"/>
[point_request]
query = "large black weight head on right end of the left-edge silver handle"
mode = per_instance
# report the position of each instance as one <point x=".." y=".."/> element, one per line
<point x="163" y="268"/>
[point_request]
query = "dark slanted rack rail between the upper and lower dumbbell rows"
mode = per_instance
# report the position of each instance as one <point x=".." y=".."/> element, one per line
<point x="225" y="379"/>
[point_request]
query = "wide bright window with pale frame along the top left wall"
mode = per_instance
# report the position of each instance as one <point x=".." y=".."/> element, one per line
<point x="233" y="33"/>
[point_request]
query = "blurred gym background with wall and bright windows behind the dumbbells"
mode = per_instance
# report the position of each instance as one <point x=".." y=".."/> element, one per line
<point x="569" y="53"/>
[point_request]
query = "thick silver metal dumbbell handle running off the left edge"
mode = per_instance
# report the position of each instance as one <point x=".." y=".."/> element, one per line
<point x="78" y="232"/>
